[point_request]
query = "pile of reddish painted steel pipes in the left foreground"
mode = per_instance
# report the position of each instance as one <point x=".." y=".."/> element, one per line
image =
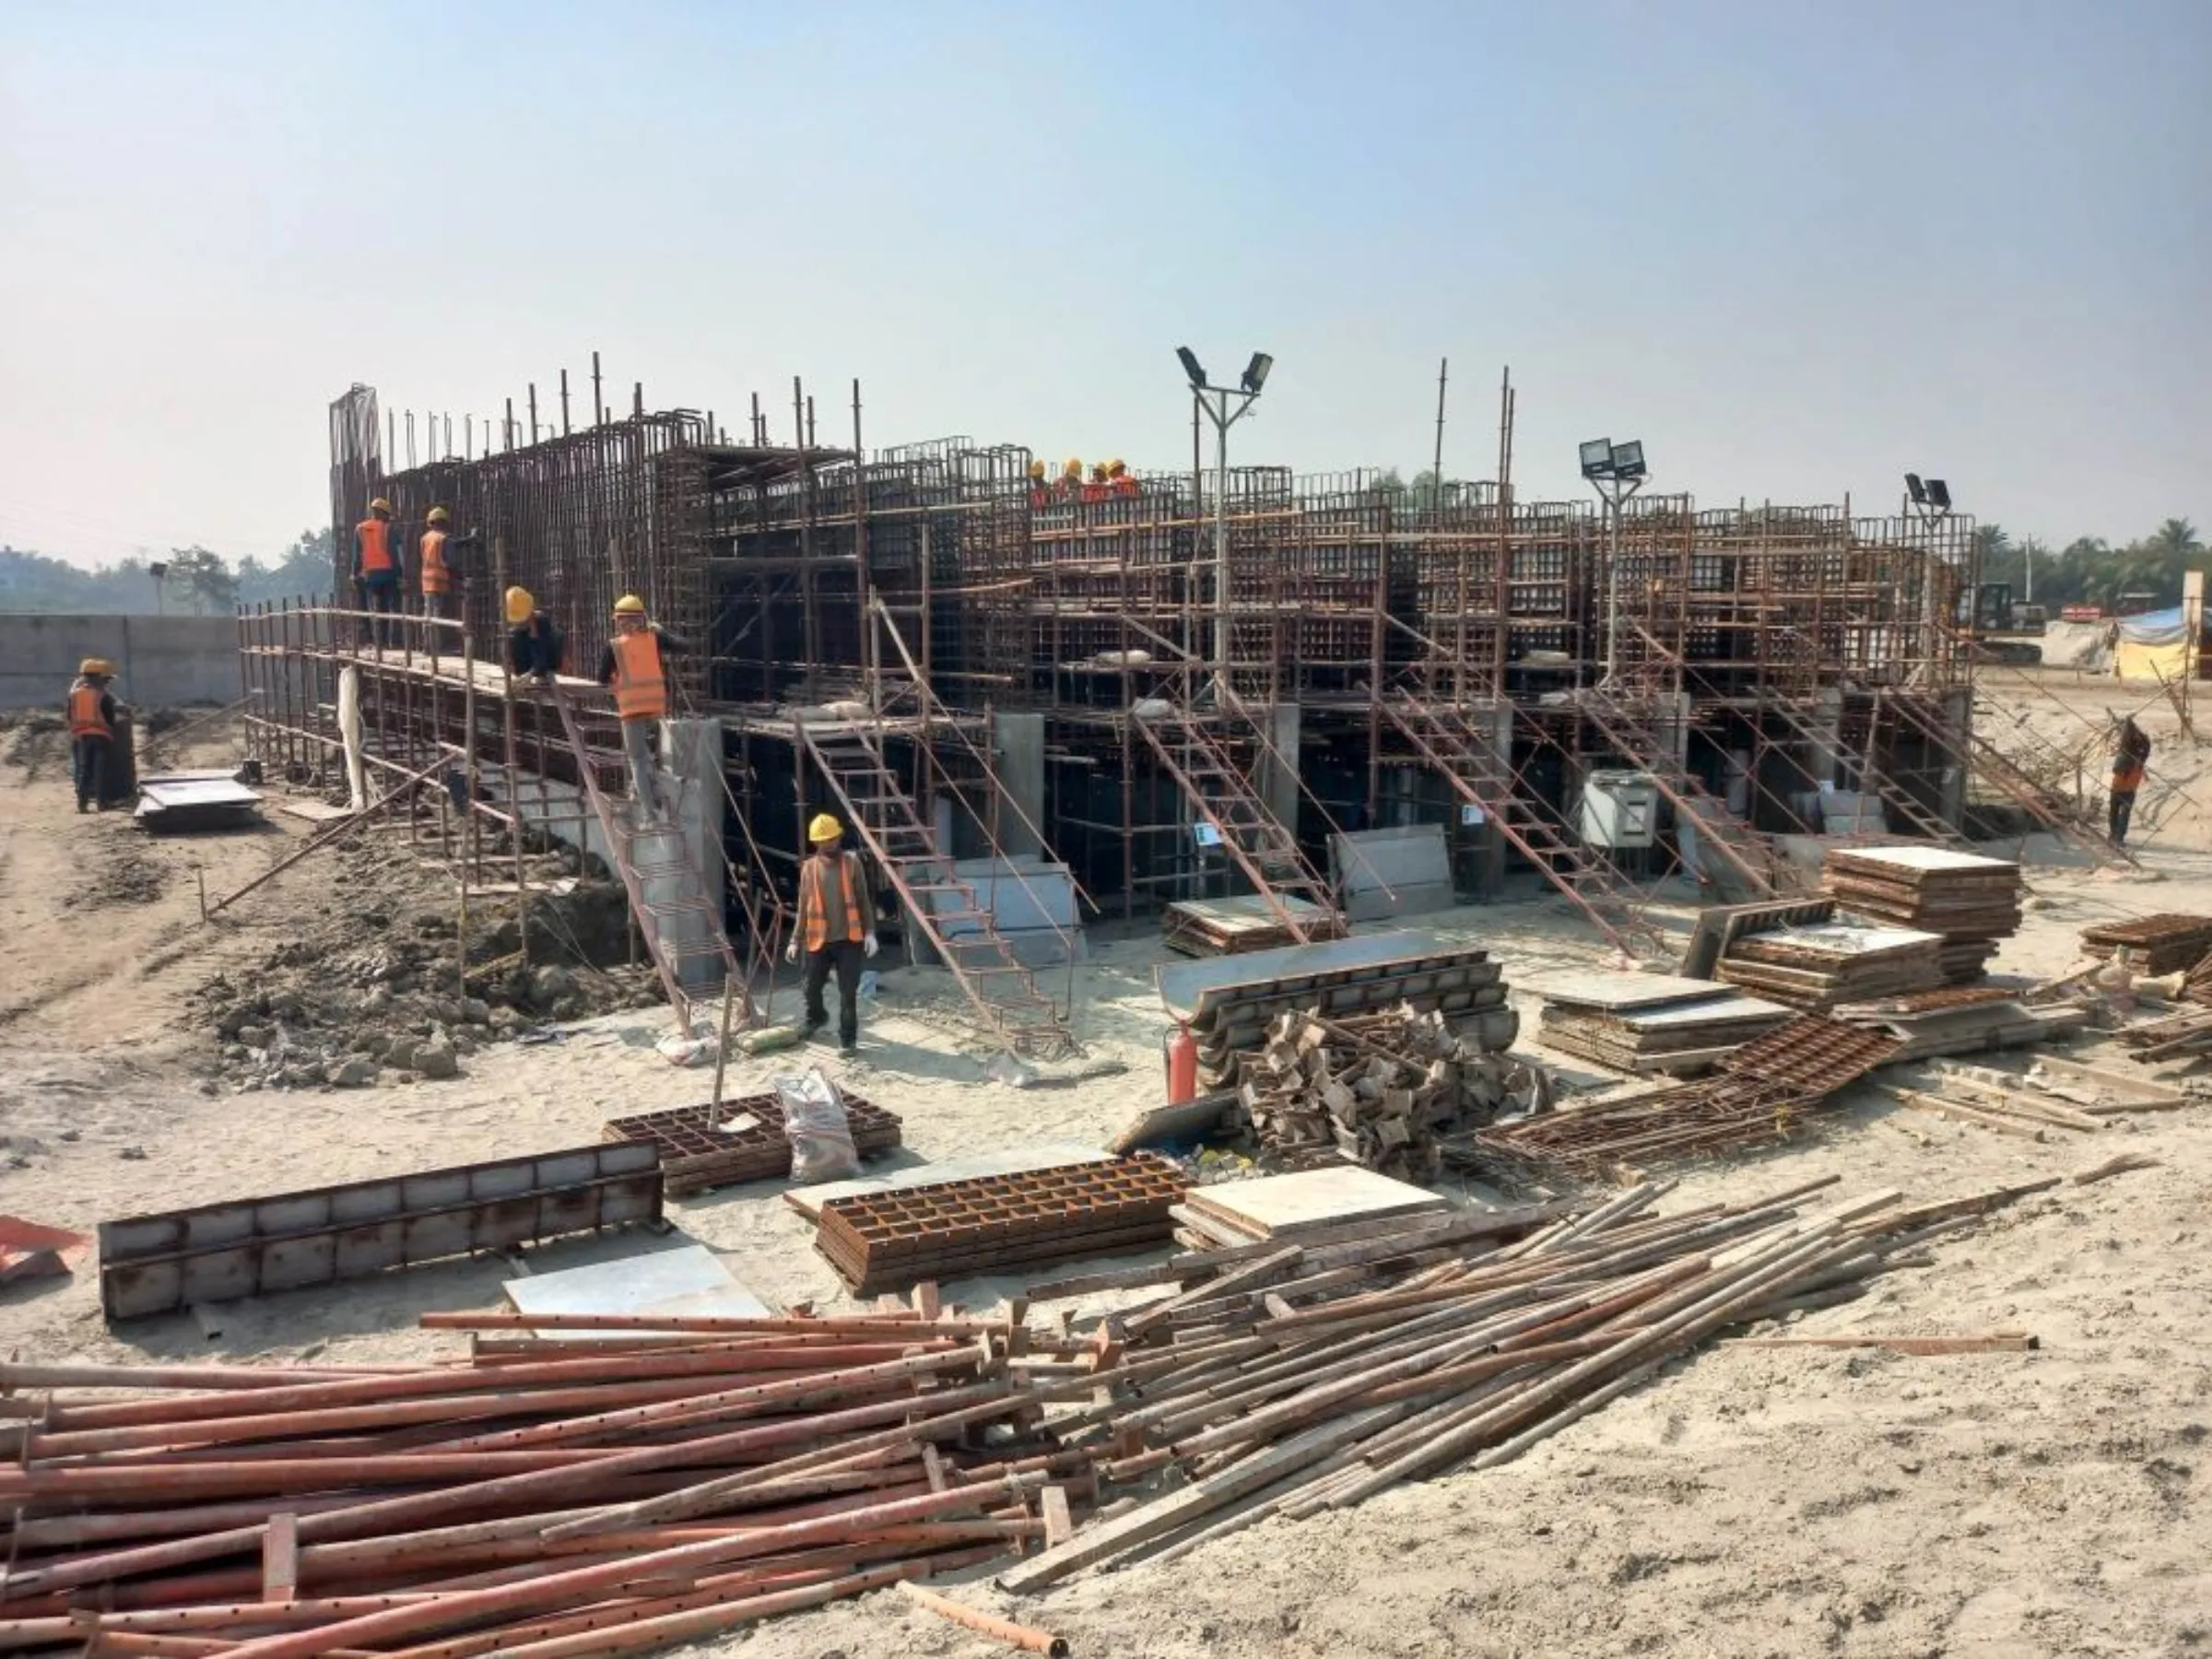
<point x="605" y="1494"/>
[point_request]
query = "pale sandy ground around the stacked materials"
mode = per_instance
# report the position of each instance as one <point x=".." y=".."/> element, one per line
<point x="1744" y="1503"/>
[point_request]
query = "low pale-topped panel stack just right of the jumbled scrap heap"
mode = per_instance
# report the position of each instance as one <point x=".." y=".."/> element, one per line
<point x="1649" y="1023"/>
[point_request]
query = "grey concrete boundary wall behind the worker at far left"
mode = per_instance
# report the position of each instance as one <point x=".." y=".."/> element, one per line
<point x="160" y="660"/>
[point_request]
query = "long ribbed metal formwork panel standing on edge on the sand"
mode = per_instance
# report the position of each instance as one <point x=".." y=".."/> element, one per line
<point x="227" y="1251"/>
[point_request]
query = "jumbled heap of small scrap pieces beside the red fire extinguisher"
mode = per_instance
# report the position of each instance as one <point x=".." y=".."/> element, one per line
<point x="1384" y="1089"/>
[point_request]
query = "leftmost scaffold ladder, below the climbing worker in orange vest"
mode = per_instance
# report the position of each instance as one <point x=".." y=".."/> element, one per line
<point x="678" y="917"/>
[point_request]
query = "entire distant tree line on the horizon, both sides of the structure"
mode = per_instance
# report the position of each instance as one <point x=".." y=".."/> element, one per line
<point x="202" y="583"/>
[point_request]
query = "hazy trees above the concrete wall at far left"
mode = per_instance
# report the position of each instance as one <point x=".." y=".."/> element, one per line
<point x="194" y="581"/>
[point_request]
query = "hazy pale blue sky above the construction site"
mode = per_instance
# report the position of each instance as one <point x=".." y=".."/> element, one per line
<point x="1795" y="247"/>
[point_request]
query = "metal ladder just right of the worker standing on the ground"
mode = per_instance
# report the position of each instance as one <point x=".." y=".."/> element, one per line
<point x="950" y="912"/>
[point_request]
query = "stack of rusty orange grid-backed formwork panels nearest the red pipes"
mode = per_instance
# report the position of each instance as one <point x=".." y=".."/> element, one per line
<point x="992" y="1222"/>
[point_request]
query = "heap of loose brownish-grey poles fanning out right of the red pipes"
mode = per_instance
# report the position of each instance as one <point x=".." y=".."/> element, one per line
<point x="1293" y="1384"/>
